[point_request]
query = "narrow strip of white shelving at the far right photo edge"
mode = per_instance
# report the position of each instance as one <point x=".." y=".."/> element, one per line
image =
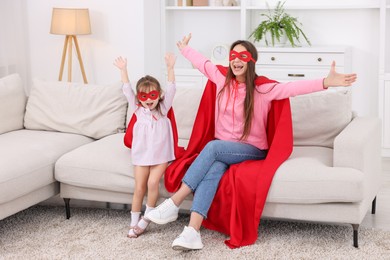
<point x="384" y="75"/>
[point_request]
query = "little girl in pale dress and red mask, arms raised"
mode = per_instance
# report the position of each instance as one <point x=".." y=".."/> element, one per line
<point x="152" y="145"/>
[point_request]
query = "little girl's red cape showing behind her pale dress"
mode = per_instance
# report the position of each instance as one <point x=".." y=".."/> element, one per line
<point x="128" y="138"/>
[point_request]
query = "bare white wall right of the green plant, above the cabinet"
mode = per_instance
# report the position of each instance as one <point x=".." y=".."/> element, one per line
<point x="358" y="28"/>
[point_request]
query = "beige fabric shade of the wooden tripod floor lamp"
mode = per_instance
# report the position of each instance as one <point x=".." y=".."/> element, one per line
<point x="67" y="21"/>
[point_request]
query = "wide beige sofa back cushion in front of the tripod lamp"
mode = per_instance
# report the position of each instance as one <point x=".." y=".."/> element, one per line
<point x="91" y="110"/>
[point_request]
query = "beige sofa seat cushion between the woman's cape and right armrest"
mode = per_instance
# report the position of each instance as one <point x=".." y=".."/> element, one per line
<point x="309" y="177"/>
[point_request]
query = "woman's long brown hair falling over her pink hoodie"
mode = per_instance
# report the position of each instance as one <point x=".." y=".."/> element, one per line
<point x="250" y="77"/>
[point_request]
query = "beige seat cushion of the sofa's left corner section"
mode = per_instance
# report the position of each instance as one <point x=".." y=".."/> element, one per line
<point x="27" y="159"/>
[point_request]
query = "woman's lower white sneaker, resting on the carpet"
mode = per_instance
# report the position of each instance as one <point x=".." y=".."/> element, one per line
<point x="189" y="239"/>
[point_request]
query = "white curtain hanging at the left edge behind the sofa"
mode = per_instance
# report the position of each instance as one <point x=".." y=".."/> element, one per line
<point x="13" y="39"/>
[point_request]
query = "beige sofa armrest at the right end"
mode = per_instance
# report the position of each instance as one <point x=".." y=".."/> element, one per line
<point x="358" y="146"/>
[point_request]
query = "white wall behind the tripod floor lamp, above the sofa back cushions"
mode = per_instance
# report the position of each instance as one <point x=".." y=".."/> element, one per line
<point x="117" y="29"/>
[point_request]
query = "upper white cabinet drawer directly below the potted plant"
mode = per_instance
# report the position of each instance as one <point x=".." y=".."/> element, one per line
<point x="301" y="59"/>
